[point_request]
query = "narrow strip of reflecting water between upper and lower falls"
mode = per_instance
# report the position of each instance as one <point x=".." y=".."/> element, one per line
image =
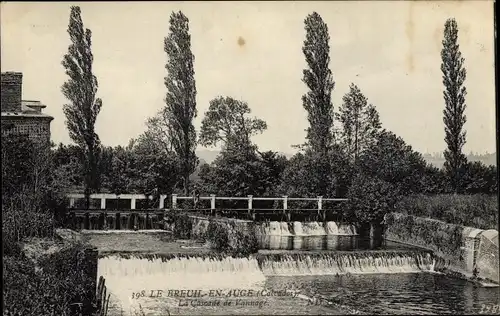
<point x="329" y="242"/>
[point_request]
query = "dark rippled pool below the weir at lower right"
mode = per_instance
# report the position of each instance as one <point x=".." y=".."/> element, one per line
<point x="417" y="294"/>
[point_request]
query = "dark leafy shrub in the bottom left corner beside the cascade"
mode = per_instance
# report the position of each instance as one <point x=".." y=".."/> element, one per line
<point x="53" y="285"/>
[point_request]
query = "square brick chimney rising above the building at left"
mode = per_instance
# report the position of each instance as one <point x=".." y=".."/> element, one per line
<point x="11" y="91"/>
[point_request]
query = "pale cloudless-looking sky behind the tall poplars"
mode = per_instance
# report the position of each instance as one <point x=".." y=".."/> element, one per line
<point x="391" y="50"/>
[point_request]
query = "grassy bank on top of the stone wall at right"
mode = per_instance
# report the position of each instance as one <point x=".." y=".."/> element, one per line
<point x="478" y="210"/>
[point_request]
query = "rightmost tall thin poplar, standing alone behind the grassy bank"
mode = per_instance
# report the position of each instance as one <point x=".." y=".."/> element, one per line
<point x="454" y="75"/>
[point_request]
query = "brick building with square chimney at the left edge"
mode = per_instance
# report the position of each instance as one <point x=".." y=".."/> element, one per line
<point x="22" y="116"/>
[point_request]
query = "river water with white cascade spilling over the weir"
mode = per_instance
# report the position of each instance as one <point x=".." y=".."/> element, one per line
<point x="299" y="275"/>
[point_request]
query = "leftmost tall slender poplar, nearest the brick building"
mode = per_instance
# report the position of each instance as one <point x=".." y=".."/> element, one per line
<point x="81" y="88"/>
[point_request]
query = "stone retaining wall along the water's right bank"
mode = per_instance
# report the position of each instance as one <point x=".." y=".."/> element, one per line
<point x="464" y="249"/>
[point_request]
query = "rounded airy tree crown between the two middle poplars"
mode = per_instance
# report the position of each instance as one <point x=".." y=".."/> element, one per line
<point x="226" y="122"/>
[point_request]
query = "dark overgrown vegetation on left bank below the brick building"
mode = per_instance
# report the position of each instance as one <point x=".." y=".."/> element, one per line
<point x="35" y="283"/>
